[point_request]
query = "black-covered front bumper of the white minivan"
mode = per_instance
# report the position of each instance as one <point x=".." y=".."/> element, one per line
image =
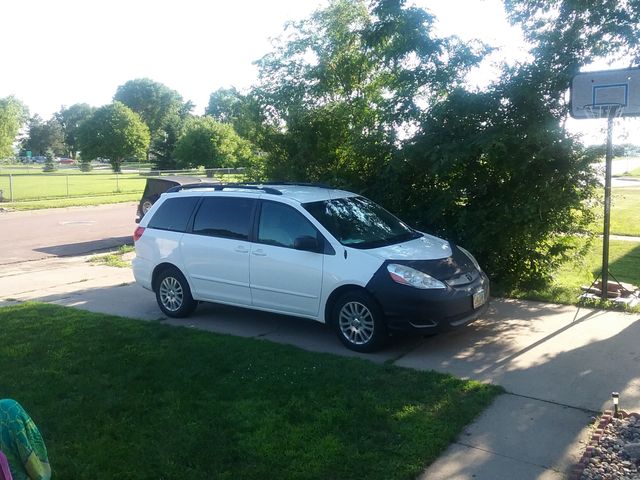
<point x="413" y="310"/>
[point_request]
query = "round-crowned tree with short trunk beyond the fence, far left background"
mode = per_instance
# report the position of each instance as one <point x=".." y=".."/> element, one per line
<point x="114" y="132"/>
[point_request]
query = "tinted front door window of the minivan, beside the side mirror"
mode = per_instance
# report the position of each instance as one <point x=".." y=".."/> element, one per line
<point x="280" y="225"/>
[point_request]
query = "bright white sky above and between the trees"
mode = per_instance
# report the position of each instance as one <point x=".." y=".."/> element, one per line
<point x="61" y="52"/>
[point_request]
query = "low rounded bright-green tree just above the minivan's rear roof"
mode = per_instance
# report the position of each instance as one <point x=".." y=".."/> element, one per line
<point x="211" y="144"/>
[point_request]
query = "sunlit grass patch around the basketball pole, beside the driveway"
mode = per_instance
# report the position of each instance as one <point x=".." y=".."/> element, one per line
<point x="624" y="264"/>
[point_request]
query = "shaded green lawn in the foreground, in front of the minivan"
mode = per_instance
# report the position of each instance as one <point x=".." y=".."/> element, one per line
<point x="126" y="399"/>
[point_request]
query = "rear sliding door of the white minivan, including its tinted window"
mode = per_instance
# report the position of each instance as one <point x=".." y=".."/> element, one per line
<point x="216" y="251"/>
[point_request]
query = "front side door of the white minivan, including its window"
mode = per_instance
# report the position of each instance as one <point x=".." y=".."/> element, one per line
<point x="283" y="278"/>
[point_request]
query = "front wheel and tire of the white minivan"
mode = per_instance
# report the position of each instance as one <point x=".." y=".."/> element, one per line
<point x="359" y="322"/>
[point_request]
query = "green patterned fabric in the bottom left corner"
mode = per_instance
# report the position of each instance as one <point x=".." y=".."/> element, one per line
<point x="22" y="444"/>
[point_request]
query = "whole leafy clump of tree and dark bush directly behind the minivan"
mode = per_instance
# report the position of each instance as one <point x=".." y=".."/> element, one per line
<point x="364" y="95"/>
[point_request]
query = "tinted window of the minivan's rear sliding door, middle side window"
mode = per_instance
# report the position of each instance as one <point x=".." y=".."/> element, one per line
<point x="224" y="217"/>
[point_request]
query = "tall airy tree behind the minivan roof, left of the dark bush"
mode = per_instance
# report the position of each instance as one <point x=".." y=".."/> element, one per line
<point x="340" y="93"/>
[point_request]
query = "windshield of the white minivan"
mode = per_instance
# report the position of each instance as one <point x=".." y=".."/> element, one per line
<point x="359" y="223"/>
